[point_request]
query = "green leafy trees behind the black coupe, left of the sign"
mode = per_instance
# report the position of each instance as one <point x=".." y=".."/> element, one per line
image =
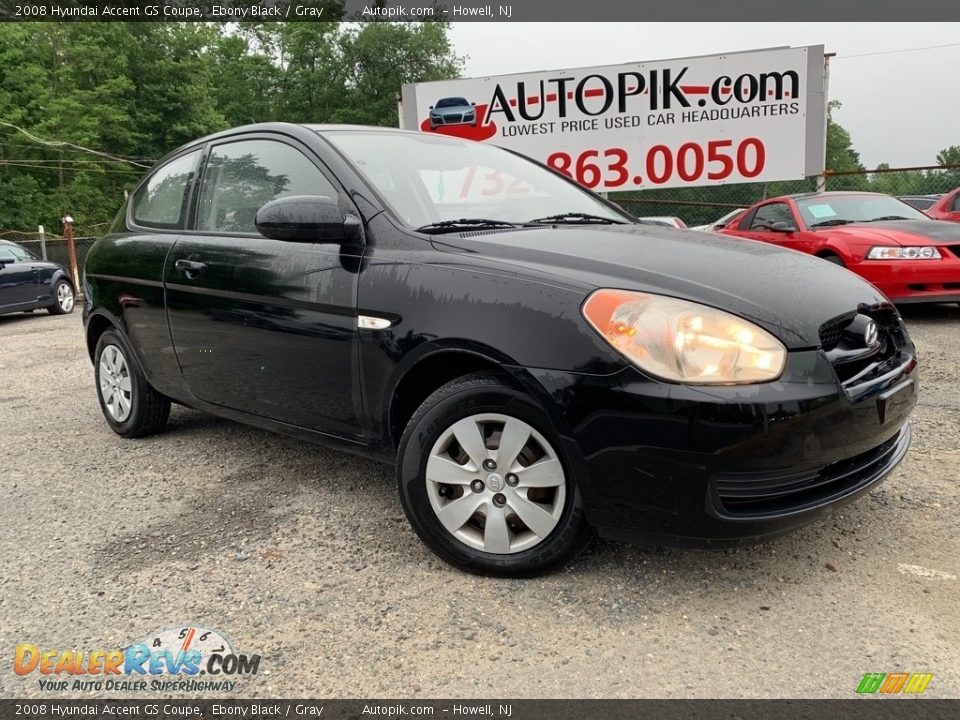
<point x="139" y="90"/>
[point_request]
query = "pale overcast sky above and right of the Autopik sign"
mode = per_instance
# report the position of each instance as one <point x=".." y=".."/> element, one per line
<point x="899" y="107"/>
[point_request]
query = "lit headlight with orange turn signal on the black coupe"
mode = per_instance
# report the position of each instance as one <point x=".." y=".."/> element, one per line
<point x="684" y="341"/>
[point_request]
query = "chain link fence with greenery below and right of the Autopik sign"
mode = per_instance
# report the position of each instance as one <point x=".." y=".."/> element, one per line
<point x="705" y="205"/>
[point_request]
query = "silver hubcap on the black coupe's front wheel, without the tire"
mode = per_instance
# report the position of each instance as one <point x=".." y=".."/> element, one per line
<point x="495" y="483"/>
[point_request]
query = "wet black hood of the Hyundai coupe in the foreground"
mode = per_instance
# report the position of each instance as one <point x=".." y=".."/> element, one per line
<point x="790" y="294"/>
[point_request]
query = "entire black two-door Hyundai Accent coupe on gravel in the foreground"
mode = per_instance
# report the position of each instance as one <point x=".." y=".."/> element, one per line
<point x="534" y="361"/>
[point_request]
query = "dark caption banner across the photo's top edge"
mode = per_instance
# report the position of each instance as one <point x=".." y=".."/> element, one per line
<point x="473" y="11"/>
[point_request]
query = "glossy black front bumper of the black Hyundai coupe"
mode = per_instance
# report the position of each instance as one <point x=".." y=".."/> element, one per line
<point x="685" y="465"/>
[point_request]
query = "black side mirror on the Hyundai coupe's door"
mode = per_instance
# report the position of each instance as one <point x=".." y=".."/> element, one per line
<point x="303" y="218"/>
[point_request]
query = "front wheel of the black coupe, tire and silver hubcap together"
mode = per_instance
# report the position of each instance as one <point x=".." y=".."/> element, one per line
<point x="536" y="527"/>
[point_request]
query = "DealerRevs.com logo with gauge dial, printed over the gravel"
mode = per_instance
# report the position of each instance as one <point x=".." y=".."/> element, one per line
<point x="189" y="658"/>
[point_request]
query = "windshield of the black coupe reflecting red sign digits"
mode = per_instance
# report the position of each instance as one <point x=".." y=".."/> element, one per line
<point x="428" y="179"/>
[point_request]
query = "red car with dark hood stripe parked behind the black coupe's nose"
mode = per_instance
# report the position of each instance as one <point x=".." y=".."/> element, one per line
<point x="907" y="255"/>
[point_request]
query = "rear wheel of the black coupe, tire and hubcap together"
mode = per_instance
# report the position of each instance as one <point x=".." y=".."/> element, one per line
<point x="130" y="406"/>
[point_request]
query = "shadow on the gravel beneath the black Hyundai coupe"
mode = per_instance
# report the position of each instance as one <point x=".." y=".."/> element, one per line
<point x="281" y="480"/>
